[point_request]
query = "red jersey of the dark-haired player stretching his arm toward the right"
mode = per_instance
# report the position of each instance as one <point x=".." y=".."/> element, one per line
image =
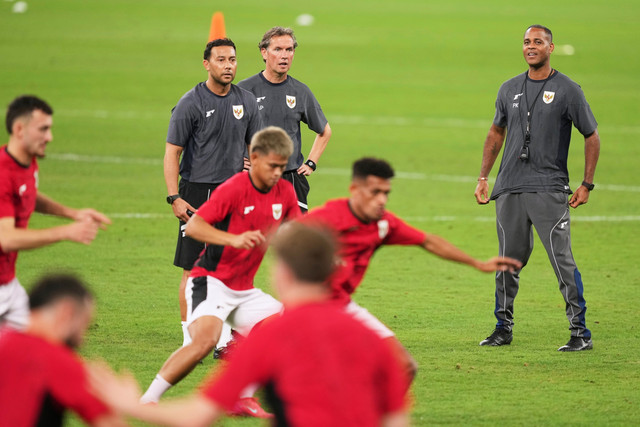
<point x="359" y="240"/>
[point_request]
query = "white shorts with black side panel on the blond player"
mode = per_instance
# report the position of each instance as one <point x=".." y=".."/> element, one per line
<point x="208" y="296"/>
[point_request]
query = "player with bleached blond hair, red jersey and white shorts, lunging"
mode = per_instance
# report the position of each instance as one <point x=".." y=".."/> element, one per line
<point x="234" y="223"/>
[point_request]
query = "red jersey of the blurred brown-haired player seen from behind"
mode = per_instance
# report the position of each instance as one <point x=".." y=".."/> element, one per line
<point x="320" y="366"/>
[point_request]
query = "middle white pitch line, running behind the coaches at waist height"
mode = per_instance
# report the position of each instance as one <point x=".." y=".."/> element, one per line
<point x="416" y="176"/>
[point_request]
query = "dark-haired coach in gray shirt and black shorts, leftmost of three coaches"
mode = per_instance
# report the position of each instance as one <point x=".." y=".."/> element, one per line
<point x="210" y="127"/>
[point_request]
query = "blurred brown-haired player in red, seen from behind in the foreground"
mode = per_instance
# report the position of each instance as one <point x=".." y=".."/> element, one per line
<point x="321" y="367"/>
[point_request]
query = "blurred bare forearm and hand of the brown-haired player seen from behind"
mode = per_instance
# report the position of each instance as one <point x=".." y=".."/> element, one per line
<point x="122" y="394"/>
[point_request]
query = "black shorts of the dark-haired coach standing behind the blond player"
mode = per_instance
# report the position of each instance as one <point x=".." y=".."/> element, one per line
<point x="187" y="249"/>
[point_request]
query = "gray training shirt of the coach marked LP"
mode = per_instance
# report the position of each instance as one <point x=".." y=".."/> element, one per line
<point x="285" y="105"/>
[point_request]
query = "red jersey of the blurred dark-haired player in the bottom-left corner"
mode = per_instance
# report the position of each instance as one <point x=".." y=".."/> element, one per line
<point x="39" y="380"/>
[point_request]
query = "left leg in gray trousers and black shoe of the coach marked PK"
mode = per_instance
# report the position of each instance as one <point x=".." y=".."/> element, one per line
<point x="515" y="240"/>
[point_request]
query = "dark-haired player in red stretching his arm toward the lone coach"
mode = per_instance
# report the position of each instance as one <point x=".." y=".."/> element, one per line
<point x="363" y="225"/>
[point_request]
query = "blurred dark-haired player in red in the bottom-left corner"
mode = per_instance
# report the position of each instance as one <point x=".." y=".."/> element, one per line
<point x="40" y="376"/>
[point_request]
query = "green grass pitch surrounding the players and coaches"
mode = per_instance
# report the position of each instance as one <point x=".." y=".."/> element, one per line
<point x="411" y="81"/>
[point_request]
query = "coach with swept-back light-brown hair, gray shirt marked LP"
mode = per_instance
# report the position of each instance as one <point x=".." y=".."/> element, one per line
<point x="285" y="102"/>
